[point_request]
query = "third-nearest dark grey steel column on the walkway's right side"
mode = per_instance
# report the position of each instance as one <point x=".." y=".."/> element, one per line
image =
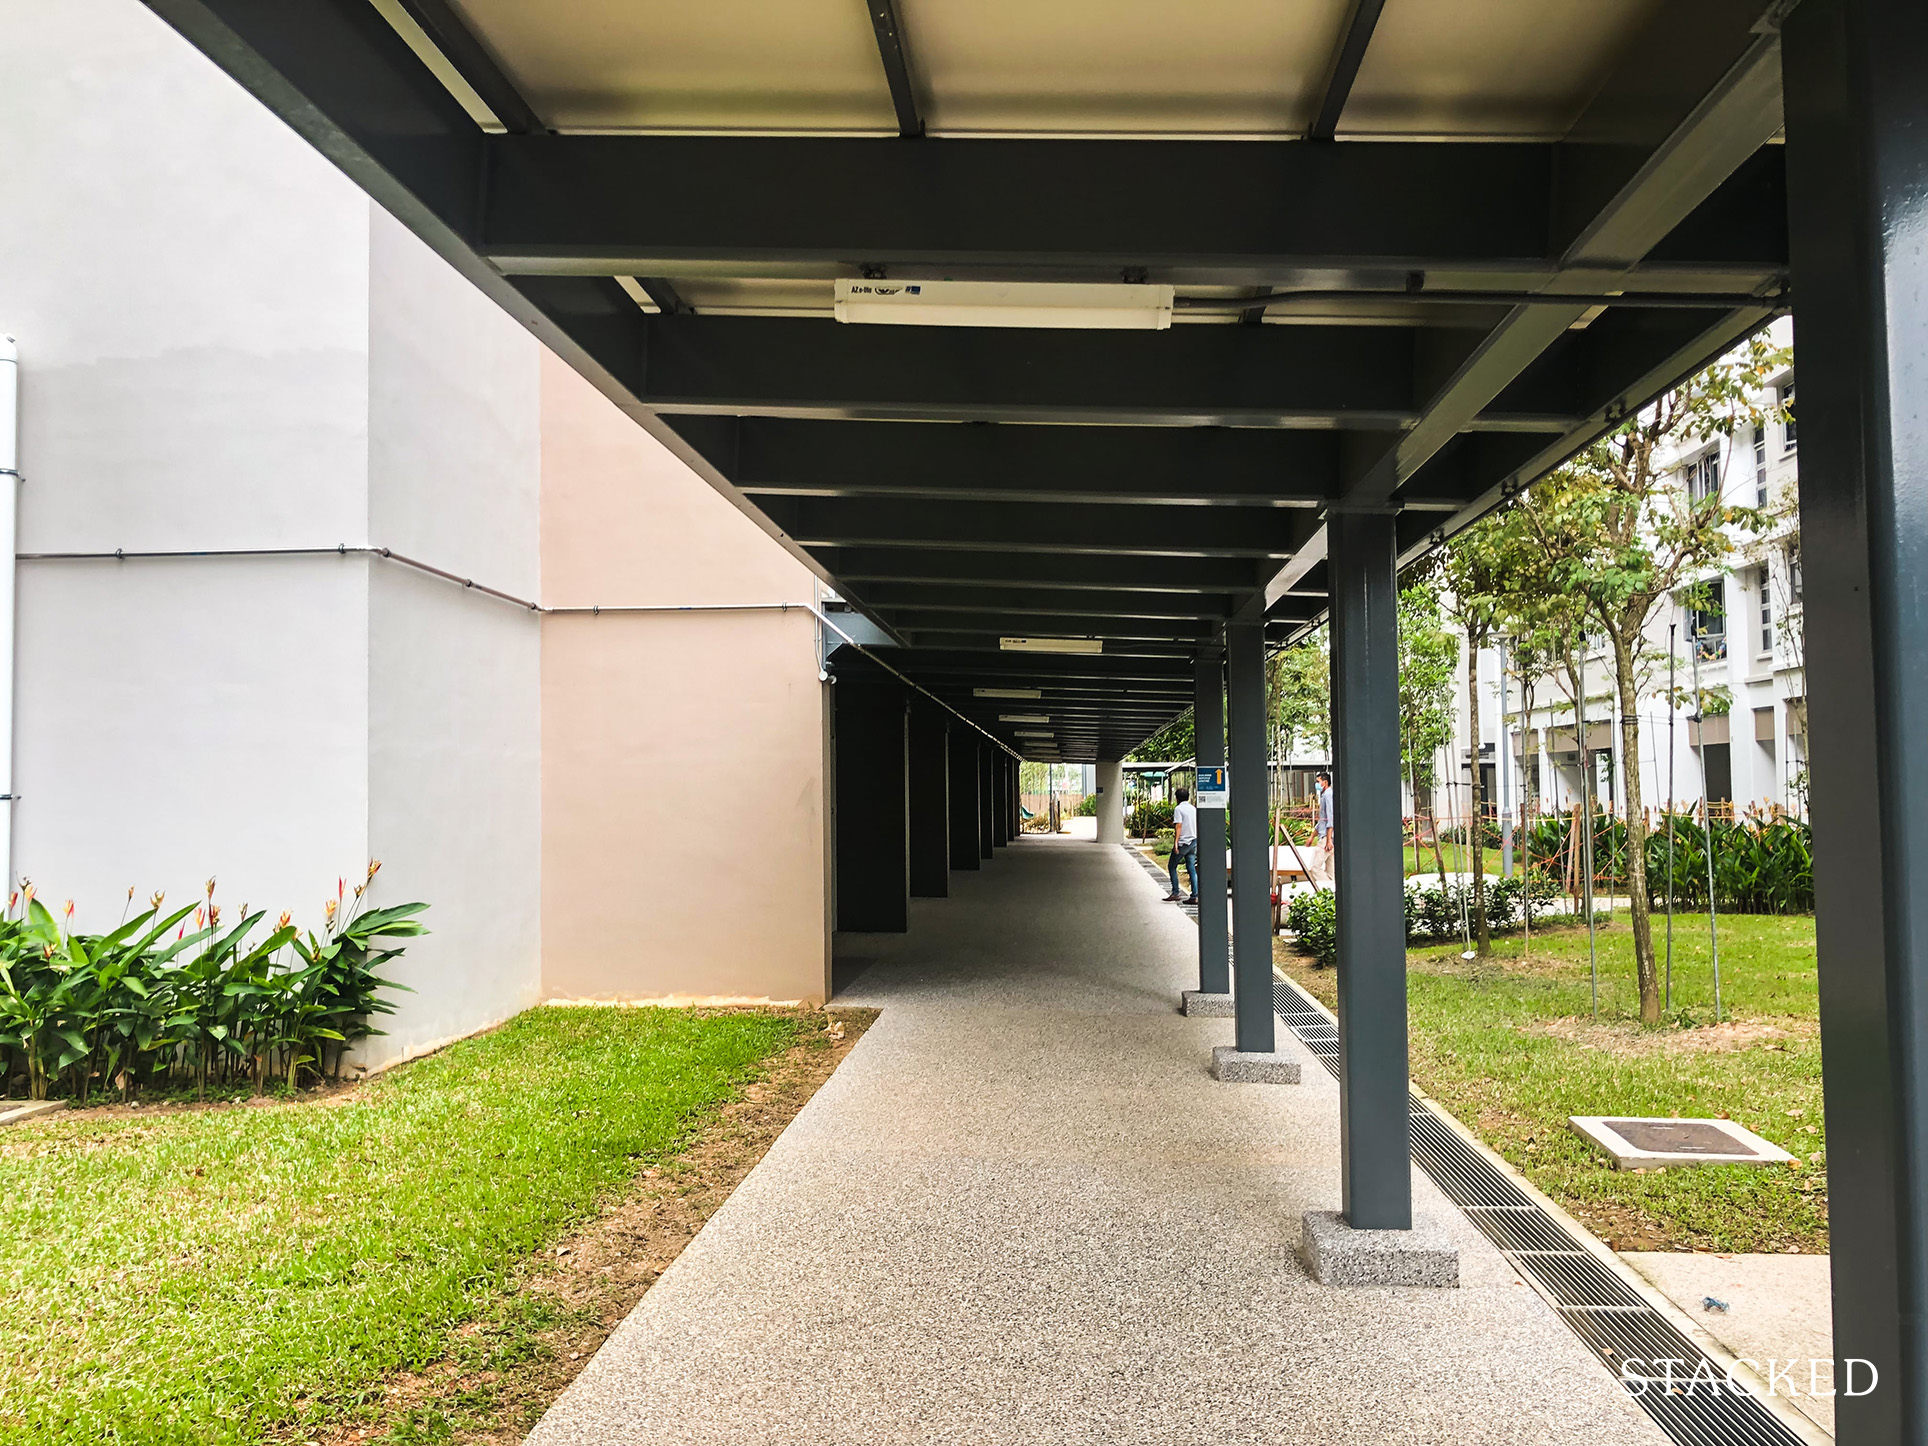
<point x="1252" y="876"/>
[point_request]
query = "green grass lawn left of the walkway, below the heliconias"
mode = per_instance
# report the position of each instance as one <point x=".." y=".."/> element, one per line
<point x="227" y="1275"/>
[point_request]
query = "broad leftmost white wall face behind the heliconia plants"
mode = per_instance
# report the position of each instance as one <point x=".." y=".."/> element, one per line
<point x="190" y="288"/>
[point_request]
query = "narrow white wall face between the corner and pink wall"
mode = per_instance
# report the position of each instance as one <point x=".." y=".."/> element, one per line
<point x="454" y="678"/>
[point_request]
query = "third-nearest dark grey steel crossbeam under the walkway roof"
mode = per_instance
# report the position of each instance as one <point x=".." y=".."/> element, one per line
<point x="1027" y="464"/>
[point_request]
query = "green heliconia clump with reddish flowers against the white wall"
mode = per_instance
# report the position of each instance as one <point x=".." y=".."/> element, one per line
<point x="174" y="1002"/>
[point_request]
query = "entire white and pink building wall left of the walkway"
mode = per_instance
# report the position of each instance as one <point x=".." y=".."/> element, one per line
<point x="298" y="504"/>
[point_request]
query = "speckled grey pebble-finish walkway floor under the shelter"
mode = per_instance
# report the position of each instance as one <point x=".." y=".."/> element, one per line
<point x="1023" y="1212"/>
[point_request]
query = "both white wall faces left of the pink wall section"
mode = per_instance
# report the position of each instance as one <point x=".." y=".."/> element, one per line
<point x="227" y="346"/>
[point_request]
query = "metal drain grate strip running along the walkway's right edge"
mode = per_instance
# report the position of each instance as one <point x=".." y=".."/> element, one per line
<point x="1599" y="1306"/>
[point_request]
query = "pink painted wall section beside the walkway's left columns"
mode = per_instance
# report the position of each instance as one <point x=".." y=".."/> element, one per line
<point x="683" y="764"/>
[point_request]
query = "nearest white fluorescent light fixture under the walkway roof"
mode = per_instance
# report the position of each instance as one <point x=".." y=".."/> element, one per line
<point x="1086" y="306"/>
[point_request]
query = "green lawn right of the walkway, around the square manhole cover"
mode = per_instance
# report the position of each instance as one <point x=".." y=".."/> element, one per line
<point x="1513" y="1050"/>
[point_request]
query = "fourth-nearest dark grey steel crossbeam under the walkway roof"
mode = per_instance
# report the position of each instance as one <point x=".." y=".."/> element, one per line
<point x="1040" y="527"/>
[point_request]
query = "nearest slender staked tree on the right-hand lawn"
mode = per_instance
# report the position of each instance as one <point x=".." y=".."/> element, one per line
<point x="1622" y="535"/>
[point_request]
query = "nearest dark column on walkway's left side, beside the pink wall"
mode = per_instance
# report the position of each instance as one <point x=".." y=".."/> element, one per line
<point x="872" y="807"/>
